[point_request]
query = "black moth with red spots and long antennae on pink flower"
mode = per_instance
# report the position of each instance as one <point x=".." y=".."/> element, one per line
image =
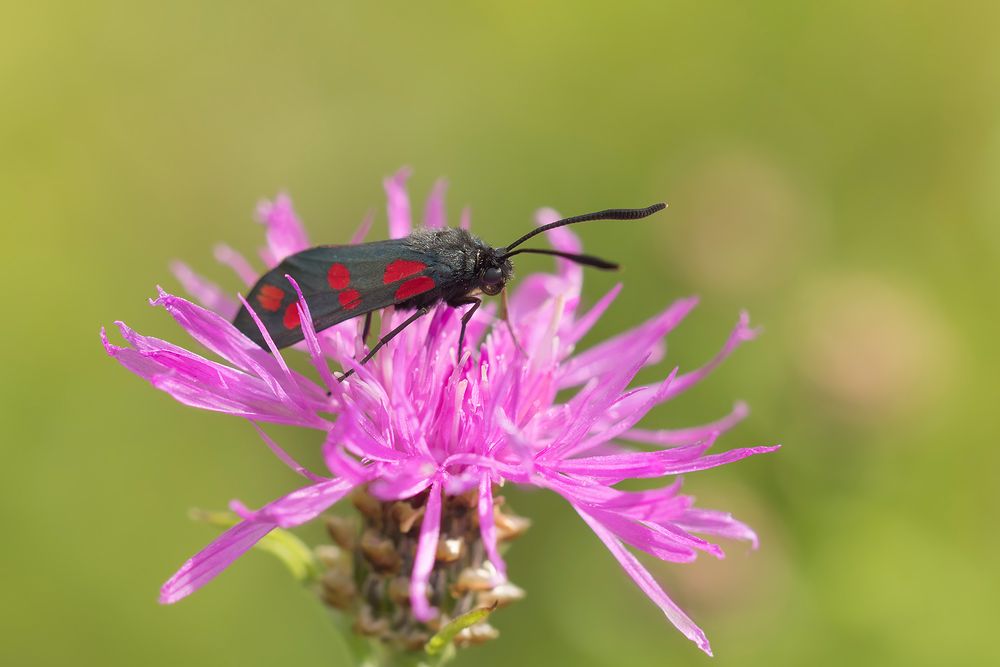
<point x="412" y="273"/>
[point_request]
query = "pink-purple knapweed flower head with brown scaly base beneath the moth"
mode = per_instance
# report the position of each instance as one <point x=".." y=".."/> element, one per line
<point x="424" y="437"/>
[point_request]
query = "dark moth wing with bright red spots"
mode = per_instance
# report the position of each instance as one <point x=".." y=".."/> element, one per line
<point x="338" y="283"/>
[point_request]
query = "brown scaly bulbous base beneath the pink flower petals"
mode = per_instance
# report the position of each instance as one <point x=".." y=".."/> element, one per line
<point x="368" y="571"/>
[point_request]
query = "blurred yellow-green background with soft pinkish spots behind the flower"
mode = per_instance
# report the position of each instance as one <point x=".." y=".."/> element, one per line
<point x="831" y="167"/>
